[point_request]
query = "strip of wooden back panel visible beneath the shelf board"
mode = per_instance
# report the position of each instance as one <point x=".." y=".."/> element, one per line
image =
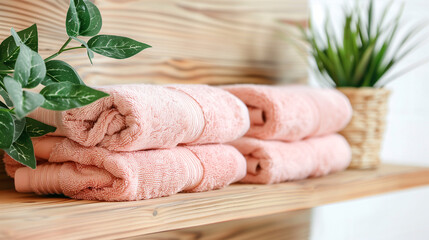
<point x="293" y="225"/>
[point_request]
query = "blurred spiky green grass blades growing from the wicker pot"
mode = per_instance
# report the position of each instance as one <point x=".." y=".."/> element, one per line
<point x="366" y="51"/>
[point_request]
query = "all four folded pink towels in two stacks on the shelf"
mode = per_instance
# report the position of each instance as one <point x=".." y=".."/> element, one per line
<point x="148" y="141"/>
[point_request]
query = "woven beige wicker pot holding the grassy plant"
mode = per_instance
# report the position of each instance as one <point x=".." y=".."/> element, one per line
<point x="365" y="130"/>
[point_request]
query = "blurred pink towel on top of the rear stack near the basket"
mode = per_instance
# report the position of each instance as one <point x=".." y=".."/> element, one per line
<point x="291" y="113"/>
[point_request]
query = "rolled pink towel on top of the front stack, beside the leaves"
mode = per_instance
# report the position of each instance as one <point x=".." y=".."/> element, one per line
<point x="137" y="117"/>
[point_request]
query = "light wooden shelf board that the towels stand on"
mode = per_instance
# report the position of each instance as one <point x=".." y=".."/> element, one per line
<point x="25" y="216"/>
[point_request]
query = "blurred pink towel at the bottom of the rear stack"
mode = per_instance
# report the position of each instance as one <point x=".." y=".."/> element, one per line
<point x="274" y="161"/>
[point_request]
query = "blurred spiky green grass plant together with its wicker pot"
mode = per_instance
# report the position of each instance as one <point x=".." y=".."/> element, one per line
<point x="356" y="62"/>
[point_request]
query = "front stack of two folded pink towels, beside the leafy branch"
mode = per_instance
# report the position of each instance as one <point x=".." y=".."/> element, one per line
<point x="141" y="142"/>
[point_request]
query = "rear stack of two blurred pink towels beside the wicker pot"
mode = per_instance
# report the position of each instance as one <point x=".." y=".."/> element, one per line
<point x="293" y="132"/>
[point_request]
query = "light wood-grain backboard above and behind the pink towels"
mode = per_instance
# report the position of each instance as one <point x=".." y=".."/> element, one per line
<point x="194" y="41"/>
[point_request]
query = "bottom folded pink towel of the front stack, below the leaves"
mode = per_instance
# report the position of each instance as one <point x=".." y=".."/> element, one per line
<point x="65" y="167"/>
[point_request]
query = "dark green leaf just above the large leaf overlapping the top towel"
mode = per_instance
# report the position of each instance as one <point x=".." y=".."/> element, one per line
<point x="59" y="71"/>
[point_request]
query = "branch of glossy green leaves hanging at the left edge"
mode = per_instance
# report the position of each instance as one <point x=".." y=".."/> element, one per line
<point x="21" y="67"/>
